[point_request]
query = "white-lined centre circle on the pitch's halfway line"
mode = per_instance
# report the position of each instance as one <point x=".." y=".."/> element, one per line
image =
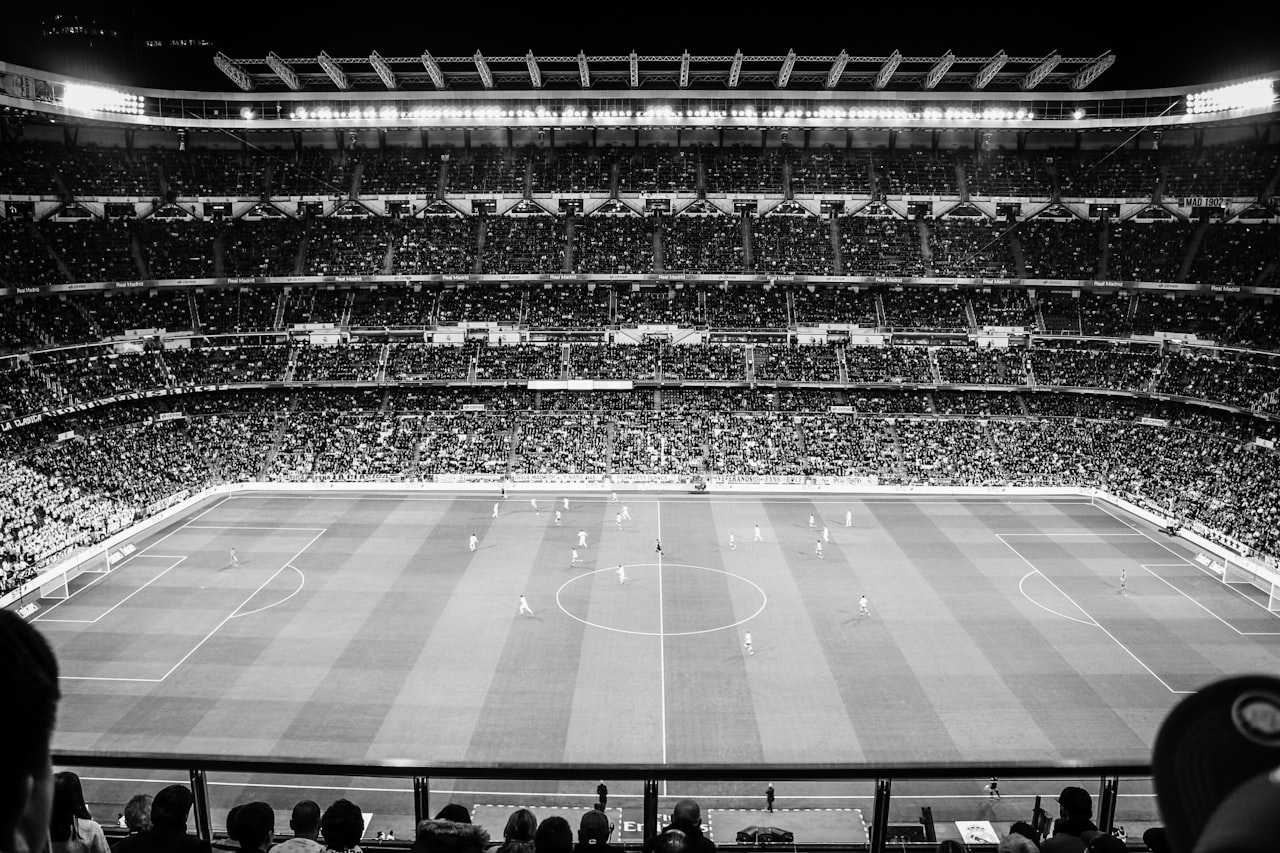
<point x="610" y="596"/>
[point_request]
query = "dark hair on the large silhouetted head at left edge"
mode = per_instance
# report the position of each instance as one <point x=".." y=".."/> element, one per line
<point x="29" y="683"/>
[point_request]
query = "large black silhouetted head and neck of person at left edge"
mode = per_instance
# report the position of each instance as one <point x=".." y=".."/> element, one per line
<point x="29" y="683"/>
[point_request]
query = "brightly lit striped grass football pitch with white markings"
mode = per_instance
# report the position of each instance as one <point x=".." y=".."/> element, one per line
<point x="363" y="628"/>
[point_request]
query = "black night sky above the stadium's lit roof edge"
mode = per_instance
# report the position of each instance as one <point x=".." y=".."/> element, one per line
<point x="1153" y="51"/>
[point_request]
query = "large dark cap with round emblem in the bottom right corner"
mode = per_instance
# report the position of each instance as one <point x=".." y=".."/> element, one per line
<point x="1209" y="746"/>
